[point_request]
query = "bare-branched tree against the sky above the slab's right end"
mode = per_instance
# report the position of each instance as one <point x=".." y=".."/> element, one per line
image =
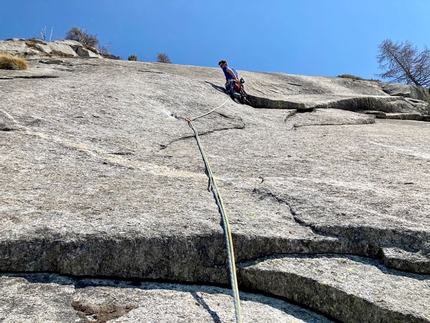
<point x="403" y="63"/>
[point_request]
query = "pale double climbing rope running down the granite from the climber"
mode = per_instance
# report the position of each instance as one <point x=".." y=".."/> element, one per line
<point x="221" y="207"/>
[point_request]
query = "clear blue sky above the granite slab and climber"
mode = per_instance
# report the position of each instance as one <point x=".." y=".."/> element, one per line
<point x="308" y="37"/>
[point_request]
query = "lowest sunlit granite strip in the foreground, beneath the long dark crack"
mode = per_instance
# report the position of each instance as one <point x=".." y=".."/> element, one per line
<point x="53" y="298"/>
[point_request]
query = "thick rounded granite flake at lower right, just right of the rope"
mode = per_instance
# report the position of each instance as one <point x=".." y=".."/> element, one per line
<point x="350" y="289"/>
